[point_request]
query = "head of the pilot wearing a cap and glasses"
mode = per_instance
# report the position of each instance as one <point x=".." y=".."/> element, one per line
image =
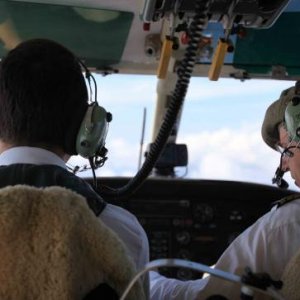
<point x="281" y="130"/>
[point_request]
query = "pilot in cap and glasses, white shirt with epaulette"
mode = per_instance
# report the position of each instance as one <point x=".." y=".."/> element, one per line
<point x="269" y="244"/>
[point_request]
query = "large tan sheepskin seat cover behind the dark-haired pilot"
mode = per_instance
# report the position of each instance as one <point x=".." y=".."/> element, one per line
<point x="52" y="246"/>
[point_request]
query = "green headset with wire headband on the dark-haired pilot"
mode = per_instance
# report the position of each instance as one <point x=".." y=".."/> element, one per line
<point x="90" y="140"/>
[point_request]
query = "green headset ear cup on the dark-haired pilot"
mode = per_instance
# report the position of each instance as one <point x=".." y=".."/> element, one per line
<point x="92" y="132"/>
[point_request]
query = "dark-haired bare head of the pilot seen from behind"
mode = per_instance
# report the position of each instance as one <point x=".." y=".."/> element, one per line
<point x="43" y="96"/>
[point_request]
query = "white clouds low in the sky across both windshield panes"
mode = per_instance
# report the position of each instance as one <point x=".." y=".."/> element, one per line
<point x="223" y="154"/>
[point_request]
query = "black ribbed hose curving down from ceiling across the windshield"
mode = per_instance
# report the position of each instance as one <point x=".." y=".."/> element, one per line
<point x="184" y="73"/>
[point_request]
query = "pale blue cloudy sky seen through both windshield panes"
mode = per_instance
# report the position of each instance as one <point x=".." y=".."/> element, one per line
<point x="220" y="123"/>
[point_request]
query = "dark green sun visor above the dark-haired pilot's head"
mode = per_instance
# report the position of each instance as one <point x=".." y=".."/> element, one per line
<point x="88" y="32"/>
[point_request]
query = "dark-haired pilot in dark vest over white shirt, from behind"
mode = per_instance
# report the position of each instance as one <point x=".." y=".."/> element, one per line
<point x="43" y="100"/>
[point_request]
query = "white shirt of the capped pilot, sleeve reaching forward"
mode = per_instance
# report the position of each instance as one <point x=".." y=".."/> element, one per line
<point x="266" y="246"/>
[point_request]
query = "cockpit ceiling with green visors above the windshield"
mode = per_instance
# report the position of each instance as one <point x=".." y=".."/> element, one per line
<point x="113" y="40"/>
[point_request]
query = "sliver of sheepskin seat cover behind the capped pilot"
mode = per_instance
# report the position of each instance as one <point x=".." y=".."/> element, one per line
<point x="291" y="278"/>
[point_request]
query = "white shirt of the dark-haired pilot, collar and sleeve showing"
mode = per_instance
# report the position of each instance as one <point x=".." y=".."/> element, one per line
<point x="118" y="219"/>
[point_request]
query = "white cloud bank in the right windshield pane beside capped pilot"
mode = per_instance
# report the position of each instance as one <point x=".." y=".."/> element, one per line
<point x="231" y="154"/>
